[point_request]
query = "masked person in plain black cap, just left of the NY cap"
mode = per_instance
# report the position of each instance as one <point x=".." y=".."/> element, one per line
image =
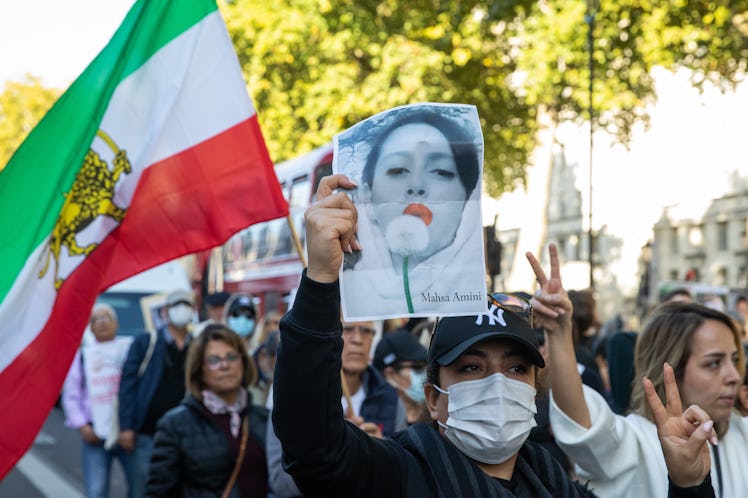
<point x="402" y="361"/>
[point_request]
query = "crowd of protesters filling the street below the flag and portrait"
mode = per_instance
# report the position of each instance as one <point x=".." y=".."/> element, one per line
<point x="547" y="401"/>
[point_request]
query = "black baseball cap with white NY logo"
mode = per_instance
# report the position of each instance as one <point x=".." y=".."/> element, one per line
<point x="455" y="335"/>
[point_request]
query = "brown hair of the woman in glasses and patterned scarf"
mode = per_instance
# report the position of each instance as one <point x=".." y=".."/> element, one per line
<point x="193" y="369"/>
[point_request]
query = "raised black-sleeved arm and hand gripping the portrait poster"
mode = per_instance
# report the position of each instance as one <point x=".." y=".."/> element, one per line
<point x="326" y="456"/>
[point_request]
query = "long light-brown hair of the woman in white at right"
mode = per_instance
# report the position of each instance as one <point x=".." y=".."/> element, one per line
<point x="667" y="336"/>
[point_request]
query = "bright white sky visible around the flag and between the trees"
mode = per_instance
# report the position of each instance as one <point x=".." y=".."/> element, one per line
<point x="695" y="143"/>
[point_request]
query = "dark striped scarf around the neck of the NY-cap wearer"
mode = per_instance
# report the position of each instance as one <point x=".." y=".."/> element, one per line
<point x="536" y="474"/>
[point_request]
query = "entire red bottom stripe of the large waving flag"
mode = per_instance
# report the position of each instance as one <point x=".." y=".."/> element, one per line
<point x="186" y="203"/>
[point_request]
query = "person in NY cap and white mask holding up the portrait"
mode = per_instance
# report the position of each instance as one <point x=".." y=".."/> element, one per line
<point x="480" y="391"/>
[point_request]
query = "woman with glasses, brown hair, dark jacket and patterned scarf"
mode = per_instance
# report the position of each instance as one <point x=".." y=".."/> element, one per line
<point x="213" y="443"/>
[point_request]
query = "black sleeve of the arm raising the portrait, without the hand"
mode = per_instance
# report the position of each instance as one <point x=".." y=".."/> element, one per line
<point x="327" y="456"/>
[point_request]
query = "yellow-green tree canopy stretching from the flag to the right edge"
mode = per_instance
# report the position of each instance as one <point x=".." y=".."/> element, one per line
<point x="315" y="67"/>
